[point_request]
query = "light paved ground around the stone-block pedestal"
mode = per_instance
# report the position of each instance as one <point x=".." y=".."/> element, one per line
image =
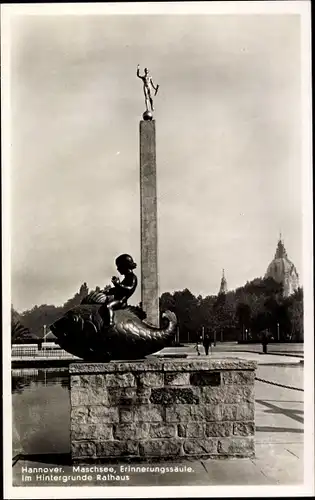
<point x="279" y="435"/>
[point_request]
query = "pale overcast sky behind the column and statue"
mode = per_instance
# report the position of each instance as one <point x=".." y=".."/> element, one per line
<point x="228" y="148"/>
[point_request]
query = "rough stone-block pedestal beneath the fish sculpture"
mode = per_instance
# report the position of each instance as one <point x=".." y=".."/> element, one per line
<point x="162" y="409"/>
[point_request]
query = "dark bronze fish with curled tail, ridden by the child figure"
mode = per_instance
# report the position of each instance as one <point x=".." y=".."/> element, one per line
<point x="85" y="331"/>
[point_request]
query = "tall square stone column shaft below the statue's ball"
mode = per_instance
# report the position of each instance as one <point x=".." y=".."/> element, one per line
<point x="149" y="257"/>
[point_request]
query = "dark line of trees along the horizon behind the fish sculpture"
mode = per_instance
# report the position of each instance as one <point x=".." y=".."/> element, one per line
<point x="243" y="314"/>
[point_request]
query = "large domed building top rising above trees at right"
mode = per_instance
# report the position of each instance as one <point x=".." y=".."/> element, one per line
<point x="283" y="271"/>
